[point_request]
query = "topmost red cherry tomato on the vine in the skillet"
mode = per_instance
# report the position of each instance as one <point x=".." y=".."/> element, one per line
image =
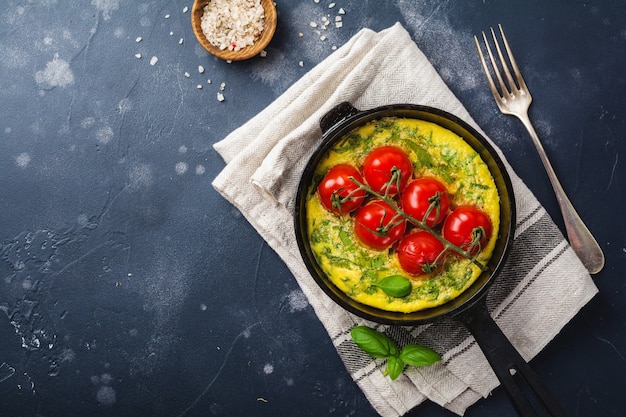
<point x="387" y="169"/>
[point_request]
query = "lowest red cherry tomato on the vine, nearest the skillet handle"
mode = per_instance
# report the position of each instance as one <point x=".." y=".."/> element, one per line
<point x="420" y="253"/>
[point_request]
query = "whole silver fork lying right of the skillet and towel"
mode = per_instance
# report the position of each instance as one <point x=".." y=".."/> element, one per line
<point x="514" y="99"/>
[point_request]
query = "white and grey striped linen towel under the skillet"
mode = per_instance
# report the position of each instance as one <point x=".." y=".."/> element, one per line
<point x="542" y="286"/>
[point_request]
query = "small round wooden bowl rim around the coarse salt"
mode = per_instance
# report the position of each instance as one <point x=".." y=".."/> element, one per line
<point x="269" y="27"/>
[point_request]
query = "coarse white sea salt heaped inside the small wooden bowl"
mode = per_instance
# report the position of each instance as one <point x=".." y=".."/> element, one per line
<point x="233" y="24"/>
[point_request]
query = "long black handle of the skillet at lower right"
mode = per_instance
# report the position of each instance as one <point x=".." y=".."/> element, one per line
<point x="504" y="359"/>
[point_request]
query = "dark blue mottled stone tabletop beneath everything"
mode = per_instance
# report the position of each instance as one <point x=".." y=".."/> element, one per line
<point x="129" y="287"/>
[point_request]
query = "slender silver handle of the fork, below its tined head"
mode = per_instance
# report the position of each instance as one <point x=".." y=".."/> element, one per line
<point x="580" y="238"/>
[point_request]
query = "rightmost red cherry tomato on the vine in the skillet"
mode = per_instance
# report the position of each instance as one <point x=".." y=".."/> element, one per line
<point x="467" y="227"/>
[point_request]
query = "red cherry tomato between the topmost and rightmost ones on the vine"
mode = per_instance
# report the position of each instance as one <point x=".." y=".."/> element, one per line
<point x="426" y="199"/>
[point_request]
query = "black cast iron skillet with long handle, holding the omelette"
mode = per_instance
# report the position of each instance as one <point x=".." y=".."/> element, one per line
<point x="469" y="307"/>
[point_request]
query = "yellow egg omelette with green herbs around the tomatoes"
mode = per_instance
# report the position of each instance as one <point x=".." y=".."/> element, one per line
<point x="356" y="269"/>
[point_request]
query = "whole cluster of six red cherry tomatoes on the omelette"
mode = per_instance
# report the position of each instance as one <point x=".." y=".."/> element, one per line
<point x="388" y="171"/>
